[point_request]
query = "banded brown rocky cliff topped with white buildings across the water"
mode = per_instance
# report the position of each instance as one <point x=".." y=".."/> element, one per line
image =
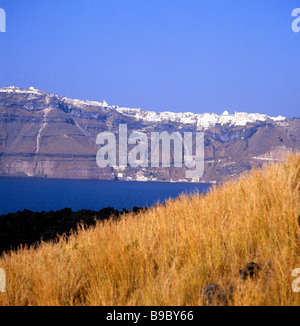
<point x="43" y="135"/>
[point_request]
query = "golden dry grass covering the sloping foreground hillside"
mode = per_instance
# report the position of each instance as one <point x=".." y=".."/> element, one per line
<point x="166" y="255"/>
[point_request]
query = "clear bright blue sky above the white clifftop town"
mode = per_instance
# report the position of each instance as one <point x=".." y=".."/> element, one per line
<point x="163" y="55"/>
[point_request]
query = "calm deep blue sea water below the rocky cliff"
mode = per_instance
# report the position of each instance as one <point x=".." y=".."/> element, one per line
<point x="50" y="194"/>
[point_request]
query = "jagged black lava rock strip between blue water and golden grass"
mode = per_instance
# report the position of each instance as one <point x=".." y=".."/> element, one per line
<point x="29" y="228"/>
